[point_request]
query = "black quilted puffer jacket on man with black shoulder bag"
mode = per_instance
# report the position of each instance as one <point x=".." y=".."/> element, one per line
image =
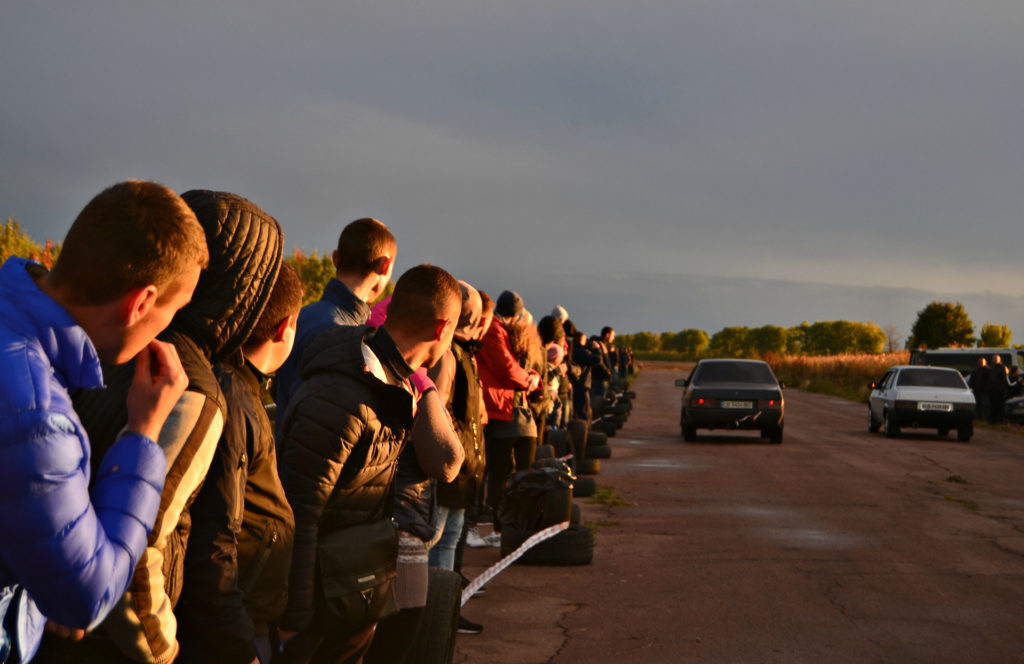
<point x="342" y="438"/>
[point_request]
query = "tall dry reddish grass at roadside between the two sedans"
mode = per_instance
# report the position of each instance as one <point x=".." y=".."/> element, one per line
<point x="848" y="377"/>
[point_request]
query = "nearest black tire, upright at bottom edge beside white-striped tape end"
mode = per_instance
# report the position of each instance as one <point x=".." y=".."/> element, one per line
<point x="436" y="637"/>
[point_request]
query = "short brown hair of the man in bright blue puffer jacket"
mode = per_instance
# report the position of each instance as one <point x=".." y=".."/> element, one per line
<point x="130" y="236"/>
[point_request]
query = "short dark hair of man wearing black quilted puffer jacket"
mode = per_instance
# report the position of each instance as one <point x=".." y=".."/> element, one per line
<point x="423" y="296"/>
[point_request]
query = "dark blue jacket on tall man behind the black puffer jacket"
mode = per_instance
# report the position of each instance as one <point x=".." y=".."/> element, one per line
<point x="338" y="306"/>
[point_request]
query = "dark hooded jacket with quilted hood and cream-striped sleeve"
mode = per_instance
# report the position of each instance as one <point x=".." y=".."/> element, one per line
<point x="246" y="246"/>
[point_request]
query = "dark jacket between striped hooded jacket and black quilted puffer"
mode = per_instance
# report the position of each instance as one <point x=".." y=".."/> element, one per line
<point x="240" y="554"/>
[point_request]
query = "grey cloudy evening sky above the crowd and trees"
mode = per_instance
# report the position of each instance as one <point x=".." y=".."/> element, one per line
<point x="650" y="165"/>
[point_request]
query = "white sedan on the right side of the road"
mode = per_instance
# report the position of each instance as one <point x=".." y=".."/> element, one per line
<point x="922" y="397"/>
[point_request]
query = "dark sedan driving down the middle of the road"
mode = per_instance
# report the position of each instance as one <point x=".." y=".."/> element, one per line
<point x="733" y="395"/>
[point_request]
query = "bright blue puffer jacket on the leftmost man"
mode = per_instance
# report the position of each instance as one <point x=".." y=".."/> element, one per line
<point x="66" y="554"/>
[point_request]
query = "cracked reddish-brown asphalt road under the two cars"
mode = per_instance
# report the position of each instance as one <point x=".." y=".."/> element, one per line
<point x="838" y="546"/>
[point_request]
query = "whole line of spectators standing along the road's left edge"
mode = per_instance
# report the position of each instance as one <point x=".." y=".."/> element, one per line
<point x="194" y="468"/>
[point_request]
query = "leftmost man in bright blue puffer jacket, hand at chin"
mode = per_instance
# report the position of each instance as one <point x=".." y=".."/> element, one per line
<point x="131" y="261"/>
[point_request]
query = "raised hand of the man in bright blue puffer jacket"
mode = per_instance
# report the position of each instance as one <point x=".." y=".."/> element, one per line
<point x="159" y="383"/>
